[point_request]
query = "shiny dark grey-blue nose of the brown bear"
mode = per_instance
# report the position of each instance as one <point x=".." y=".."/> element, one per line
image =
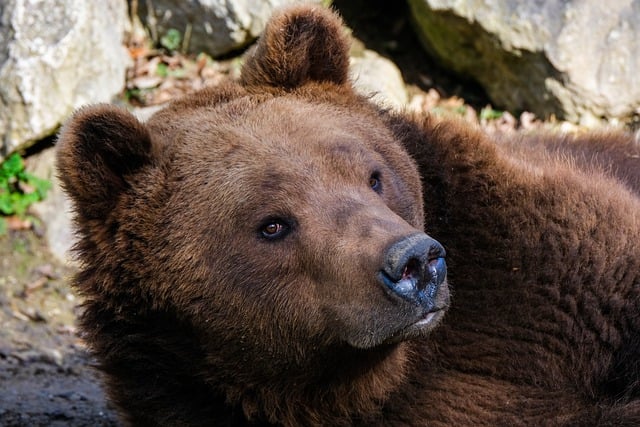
<point x="414" y="268"/>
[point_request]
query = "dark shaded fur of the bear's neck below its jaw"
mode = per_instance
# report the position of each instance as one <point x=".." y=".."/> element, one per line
<point x="350" y="384"/>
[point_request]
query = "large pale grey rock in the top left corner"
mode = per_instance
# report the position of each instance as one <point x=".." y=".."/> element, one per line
<point x="55" y="56"/>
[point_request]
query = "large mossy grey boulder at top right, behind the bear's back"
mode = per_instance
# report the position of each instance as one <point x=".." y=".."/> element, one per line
<point x="576" y="59"/>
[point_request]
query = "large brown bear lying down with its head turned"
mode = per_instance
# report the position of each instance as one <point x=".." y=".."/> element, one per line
<point x="282" y="251"/>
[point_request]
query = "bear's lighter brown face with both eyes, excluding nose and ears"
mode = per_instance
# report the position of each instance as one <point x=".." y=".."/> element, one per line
<point x="317" y="201"/>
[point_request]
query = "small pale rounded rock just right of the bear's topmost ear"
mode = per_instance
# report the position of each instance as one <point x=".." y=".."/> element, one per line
<point x="378" y="77"/>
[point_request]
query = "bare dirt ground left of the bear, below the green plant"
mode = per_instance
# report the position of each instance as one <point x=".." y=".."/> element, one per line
<point x="46" y="375"/>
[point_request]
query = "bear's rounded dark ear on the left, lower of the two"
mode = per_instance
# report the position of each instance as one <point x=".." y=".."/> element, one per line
<point x="99" y="150"/>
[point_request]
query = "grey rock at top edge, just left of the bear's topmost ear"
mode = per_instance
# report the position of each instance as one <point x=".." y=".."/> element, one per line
<point x="212" y="26"/>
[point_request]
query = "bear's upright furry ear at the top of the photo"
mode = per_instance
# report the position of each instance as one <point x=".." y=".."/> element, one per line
<point x="300" y="44"/>
